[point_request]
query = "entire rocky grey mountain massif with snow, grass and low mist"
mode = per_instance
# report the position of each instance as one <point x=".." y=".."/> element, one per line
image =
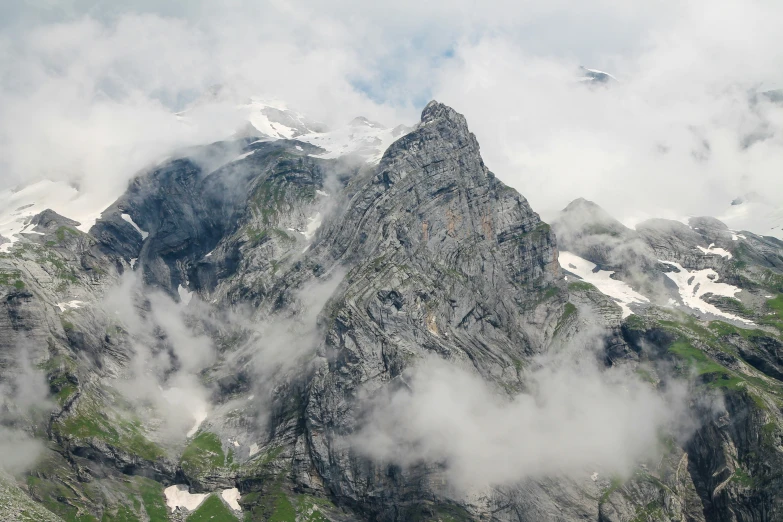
<point x="266" y="328"/>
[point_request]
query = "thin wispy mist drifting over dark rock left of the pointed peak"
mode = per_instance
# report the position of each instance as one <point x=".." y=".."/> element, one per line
<point x="172" y="344"/>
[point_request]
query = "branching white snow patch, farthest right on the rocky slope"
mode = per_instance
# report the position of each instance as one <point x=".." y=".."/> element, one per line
<point x="696" y="283"/>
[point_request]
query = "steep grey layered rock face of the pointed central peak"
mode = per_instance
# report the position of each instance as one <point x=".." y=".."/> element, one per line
<point x="443" y="260"/>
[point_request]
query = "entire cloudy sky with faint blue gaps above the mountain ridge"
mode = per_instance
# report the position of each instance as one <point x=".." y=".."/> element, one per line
<point x="88" y="87"/>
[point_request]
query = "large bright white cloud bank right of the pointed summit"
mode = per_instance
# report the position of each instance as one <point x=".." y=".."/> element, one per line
<point x="637" y="148"/>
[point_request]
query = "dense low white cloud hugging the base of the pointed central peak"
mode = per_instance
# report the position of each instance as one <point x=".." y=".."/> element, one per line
<point x="576" y="418"/>
